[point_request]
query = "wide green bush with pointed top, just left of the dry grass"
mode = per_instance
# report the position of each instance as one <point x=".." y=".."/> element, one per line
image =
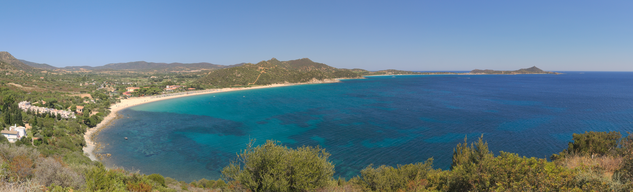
<point x="476" y="169"/>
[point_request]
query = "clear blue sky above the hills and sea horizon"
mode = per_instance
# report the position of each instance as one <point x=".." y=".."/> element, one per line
<point x="409" y="35"/>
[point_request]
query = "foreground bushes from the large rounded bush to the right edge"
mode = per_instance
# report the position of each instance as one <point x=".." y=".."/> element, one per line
<point x="272" y="167"/>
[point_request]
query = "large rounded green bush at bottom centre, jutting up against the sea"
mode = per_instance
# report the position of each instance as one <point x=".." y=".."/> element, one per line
<point x="272" y="167"/>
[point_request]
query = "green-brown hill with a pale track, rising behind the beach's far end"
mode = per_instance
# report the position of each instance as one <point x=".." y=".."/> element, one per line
<point x="274" y="71"/>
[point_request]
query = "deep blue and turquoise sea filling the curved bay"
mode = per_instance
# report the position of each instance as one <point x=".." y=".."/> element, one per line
<point x="379" y="120"/>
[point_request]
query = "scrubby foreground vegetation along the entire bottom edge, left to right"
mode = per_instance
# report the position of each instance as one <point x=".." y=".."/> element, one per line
<point x="598" y="161"/>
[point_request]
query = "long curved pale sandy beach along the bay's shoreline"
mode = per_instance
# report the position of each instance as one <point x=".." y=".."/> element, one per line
<point x="115" y="108"/>
